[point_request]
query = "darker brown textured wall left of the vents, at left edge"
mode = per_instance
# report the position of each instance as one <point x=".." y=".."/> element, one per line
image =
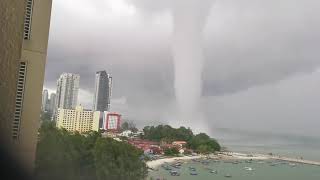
<point x="11" y="36"/>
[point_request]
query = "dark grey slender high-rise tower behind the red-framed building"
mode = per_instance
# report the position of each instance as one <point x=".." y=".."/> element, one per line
<point x="102" y="94"/>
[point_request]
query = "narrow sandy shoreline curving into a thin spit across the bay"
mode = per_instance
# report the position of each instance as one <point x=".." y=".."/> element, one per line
<point x="229" y="156"/>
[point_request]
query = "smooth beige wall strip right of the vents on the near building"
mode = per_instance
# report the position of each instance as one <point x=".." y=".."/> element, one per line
<point x="34" y="53"/>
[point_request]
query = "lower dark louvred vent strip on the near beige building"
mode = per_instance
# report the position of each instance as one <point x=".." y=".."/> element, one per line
<point x="19" y="99"/>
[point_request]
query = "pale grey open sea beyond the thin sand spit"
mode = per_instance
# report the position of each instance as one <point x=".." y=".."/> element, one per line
<point x="289" y="145"/>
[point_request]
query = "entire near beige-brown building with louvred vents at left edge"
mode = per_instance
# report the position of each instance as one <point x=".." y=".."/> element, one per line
<point x="24" y="39"/>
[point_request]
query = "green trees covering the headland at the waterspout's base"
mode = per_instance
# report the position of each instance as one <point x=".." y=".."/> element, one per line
<point x="200" y="143"/>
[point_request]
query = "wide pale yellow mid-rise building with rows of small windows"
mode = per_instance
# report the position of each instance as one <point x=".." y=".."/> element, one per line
<point x="77" y="119"/>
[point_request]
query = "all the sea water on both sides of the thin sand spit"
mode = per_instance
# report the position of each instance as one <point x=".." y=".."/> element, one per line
<point x="287" y="145"/>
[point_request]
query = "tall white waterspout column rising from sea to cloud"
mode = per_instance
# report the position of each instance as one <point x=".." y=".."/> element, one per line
<point x="189" y="18"/>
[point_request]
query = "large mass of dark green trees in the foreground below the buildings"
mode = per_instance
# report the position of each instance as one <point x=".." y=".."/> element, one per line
<point x="66" y="156"/>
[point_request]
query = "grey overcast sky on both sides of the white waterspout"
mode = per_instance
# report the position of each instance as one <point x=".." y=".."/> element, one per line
<point x="262" y="66"/>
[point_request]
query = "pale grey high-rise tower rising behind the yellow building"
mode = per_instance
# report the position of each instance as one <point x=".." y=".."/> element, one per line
<point x="67" y="91"/>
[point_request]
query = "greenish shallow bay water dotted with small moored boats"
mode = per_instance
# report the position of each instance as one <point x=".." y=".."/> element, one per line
<point x="262" y="171"/>
